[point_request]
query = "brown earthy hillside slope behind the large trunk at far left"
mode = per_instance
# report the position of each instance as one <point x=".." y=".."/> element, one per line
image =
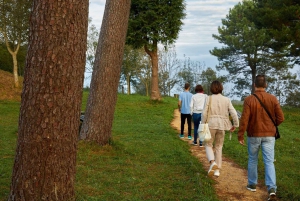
<point x="7" y="89"/>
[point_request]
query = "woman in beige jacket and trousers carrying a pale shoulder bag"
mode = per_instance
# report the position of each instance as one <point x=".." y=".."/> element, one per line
<point x="217" y="109"/>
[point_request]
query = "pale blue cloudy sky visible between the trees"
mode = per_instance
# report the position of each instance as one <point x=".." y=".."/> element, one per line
<point x="195" y="39"/>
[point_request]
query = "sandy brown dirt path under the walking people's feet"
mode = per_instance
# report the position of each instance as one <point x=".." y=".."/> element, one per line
<point x="231" y="184"/>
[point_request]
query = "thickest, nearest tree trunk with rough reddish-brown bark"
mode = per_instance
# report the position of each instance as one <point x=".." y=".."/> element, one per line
<point x="44" y="167"/>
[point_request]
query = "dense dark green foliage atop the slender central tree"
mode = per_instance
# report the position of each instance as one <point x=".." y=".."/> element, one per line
<point x="154" y="21"/>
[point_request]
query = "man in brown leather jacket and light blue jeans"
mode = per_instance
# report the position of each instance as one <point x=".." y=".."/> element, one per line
<point x="260" y="134"/>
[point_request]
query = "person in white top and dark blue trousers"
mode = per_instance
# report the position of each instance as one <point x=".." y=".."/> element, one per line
<point x="196" y="107"/>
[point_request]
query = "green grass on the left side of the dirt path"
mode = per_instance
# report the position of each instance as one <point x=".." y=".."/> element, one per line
<point x="144" y="161"/>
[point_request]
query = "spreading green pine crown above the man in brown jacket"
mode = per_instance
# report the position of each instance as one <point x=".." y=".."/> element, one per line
<point x="247" y="49"/>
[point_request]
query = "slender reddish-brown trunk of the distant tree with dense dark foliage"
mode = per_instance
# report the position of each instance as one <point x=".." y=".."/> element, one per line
<point x="155" y="94"/>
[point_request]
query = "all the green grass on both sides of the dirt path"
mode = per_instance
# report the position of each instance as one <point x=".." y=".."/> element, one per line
<point x="147" y="161"/>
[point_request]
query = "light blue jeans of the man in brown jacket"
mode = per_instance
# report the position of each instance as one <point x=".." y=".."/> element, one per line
<point x="267" y="145"/>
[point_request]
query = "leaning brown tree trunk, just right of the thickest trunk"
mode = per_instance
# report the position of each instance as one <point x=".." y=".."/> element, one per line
<point x="102" y="99"/>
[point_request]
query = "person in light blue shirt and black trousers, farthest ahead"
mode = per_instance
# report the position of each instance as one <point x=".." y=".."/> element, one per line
<point x="184" y="108"/>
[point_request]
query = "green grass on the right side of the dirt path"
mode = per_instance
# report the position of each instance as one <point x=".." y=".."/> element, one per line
<point x="287" y="155"/>
